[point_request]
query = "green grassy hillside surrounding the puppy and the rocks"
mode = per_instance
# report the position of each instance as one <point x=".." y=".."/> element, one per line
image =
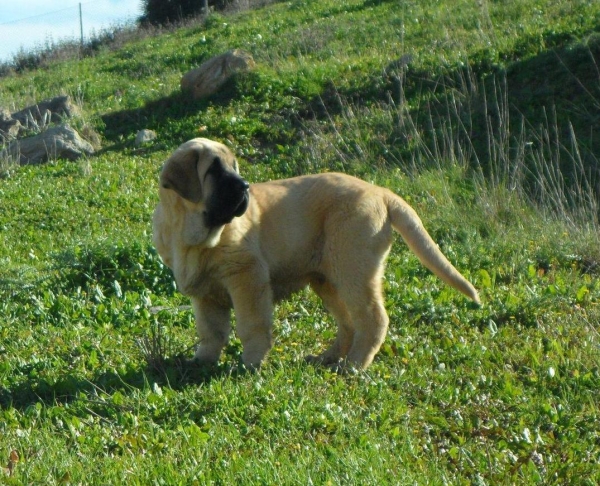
<point x="483" y="115"/>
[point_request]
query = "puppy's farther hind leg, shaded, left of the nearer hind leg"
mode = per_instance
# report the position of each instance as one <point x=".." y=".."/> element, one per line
<point x="336" y="307"/>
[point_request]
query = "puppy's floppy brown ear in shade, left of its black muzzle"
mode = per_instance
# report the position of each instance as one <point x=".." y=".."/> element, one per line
<point x="180" y="173"/>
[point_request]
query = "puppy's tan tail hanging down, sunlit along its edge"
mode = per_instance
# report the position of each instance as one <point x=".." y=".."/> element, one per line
<point x="406" y="222"/>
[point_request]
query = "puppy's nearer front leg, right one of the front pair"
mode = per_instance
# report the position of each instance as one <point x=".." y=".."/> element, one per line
<point x="253" y="306"/>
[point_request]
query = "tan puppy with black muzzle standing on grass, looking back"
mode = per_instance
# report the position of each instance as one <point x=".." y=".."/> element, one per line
<point x="231" y="245"/>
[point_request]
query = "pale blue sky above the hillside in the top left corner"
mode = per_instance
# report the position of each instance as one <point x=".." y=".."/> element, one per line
<point x="30" y="24"/>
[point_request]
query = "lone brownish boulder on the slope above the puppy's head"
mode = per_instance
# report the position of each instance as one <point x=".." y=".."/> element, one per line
<point x="211" y="75"/>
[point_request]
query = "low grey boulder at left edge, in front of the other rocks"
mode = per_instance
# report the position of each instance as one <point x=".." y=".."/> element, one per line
<point x="60" y="142"/>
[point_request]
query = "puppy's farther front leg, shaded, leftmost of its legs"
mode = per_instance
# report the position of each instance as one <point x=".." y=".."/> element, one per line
<point x="213" y="323"/>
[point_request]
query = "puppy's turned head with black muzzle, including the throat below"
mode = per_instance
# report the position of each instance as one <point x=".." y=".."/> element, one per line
<point x="205" y="174"/>
